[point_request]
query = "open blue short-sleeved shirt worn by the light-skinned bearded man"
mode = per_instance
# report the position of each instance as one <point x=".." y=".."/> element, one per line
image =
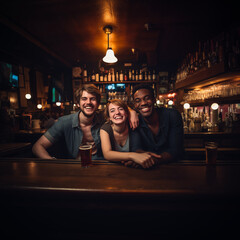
<point x="67" y="128"/>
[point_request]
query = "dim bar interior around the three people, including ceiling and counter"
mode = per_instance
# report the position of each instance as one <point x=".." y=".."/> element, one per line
<point x="188" y="53"/>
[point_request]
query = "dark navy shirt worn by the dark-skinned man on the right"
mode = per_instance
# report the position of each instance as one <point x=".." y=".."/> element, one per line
<point x="169" y="138"/>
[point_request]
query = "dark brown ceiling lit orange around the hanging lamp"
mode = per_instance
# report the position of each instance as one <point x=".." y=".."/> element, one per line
<point x="161" y="32"/>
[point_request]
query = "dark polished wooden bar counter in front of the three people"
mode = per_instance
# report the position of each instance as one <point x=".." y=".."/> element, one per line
<point x="59" y="199"/>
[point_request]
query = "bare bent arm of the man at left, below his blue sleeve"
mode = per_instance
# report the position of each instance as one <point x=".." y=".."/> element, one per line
<point x="40" y="148"/>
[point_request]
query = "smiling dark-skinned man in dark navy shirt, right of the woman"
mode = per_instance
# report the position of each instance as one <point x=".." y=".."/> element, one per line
<point x="161" y="129"/>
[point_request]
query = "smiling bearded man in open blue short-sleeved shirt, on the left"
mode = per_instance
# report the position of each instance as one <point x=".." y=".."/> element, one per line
<point x="78" y="128"/>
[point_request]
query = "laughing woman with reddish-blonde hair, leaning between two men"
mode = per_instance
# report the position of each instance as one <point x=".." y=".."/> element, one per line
<point x="116" y="137"/>
